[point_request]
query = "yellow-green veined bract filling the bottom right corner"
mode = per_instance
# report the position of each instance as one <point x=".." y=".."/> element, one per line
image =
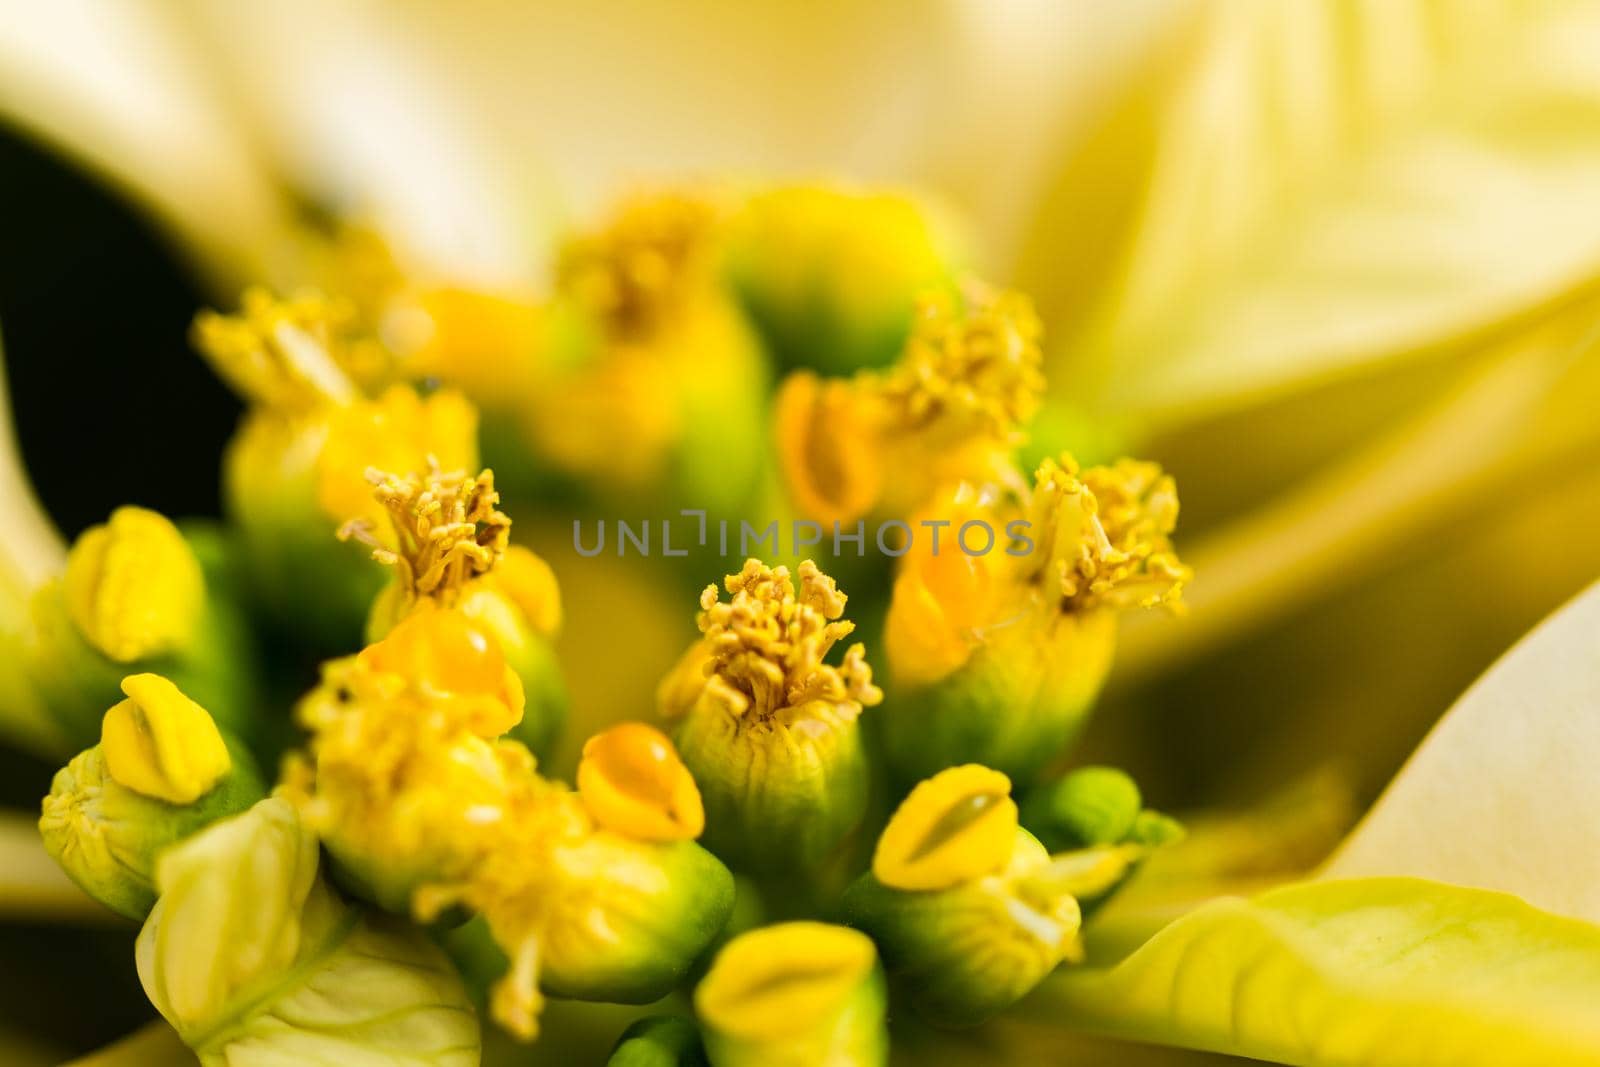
<point x="1382" y="972"/>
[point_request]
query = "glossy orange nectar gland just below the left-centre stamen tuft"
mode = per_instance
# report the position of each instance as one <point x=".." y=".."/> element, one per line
<point x="444" y="653"/>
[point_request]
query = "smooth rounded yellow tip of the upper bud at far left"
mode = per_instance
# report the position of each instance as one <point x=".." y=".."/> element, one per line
<point x="134" y="586"/>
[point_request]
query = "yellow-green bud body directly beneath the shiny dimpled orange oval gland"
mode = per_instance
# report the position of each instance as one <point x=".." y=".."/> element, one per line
<point x="631" y="917"/>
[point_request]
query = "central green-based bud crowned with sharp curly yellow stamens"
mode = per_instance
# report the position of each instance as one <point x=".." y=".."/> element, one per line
<point x="770" y="732"/>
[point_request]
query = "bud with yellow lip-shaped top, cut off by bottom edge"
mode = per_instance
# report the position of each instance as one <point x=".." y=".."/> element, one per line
<point x="796" y="996"/>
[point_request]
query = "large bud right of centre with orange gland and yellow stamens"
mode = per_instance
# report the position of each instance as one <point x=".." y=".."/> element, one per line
<point x="998" y="658"/>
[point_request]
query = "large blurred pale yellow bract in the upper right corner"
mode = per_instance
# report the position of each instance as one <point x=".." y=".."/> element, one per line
<point x="1297" y="193"/>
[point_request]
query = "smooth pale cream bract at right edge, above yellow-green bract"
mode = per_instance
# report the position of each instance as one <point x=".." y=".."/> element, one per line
<point x="1503" y="794"/>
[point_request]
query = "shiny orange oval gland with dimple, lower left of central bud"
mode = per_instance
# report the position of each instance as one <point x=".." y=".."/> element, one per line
<point x="633" y="781"/>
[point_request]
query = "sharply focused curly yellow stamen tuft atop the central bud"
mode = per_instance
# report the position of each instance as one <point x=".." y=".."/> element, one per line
<point x="767" y="645"/>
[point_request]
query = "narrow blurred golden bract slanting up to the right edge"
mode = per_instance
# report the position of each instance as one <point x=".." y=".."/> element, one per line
<point x="1466" y="455"/>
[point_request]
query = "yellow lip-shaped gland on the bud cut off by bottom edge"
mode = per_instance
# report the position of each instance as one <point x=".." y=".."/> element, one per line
<point x="785" y="981"/>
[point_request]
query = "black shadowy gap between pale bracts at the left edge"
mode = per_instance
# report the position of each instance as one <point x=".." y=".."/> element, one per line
<point x="113" y="406"/>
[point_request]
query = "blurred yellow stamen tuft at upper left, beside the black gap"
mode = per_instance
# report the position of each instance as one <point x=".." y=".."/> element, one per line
<point x="287" y="354"/>
